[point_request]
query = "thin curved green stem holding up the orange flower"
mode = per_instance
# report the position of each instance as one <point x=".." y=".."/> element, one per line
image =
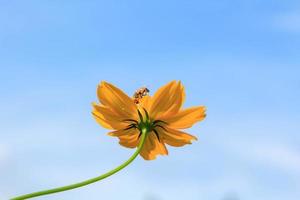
<point x="89" y="181"/>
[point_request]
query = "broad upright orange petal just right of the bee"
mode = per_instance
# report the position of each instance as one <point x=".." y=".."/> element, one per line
<point x="168" y="99"/>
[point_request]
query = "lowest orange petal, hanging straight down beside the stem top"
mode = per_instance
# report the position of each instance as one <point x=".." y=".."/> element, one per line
<point x="153" y="147"/>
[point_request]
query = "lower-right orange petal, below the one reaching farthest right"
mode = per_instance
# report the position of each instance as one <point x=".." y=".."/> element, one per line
<point x="176" y="138"/>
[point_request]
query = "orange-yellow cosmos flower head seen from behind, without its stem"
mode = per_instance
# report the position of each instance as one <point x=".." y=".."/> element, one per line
<point x="161" y="114"/>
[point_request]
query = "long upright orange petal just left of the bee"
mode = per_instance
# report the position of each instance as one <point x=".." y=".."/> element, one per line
<point x="117" y="100"/>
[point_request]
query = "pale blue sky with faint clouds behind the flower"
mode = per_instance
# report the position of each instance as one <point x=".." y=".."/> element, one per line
<point x="238" y="58"/>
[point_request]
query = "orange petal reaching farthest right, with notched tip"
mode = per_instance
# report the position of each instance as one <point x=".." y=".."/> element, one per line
<point x="185" y="118"/>
